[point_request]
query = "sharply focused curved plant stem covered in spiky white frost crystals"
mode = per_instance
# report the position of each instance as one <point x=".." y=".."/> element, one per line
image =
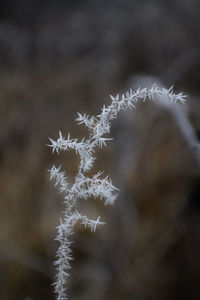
<point x="96" y="186"/>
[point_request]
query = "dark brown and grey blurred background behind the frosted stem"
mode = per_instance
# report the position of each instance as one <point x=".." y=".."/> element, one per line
<point x="61" y="57"/>
